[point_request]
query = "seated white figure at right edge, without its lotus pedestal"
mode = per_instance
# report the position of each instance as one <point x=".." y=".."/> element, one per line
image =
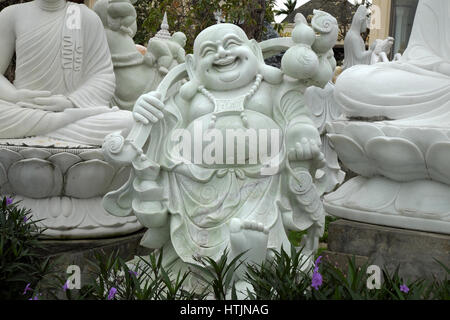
<point x="413" y="91"/>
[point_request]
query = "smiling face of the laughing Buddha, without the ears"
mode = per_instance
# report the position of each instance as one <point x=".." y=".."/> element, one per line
<point x="224" y="59"/>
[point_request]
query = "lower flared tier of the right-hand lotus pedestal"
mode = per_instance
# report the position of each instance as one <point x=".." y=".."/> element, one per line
<point x="421" y="205"/>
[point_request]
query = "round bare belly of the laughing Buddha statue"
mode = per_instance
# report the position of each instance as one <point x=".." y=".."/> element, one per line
<point x="229" y="142"/>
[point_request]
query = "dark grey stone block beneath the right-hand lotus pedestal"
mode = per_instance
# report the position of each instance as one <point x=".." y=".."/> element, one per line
<point x="413" y="251"/>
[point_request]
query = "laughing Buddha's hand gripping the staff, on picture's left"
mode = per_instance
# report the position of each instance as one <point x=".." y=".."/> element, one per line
<point x="148" y="108"/>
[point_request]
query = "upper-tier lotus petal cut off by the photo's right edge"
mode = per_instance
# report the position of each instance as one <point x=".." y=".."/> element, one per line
<point x="438" y="162"/>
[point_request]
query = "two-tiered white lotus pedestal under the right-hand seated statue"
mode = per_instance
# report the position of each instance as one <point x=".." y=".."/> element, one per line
<point x="403" y="175"/>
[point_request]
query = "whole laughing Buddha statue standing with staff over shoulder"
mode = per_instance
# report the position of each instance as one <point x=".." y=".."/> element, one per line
<point x="232" y="155"/>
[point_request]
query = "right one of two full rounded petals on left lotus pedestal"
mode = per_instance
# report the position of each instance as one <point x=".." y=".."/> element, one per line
<point x="89" y="179"/>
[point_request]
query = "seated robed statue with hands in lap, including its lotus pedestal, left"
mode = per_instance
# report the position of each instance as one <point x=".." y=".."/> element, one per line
<point x="55" y="116"/>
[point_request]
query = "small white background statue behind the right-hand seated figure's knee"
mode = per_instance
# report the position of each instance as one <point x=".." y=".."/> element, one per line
<point x="355" y="48"/>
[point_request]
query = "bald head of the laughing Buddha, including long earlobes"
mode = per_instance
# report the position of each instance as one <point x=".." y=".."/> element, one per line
<point x="225" y="59"/>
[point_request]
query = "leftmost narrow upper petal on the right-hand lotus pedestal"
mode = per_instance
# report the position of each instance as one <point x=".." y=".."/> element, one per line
<point x="352" y="155"/>
